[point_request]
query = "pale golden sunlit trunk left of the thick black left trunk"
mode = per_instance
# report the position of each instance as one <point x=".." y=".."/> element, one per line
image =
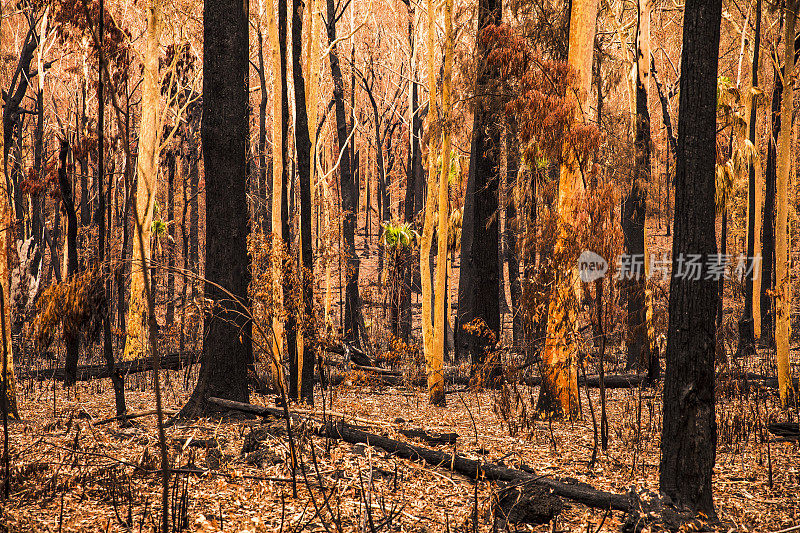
<point x="147" y="164"/>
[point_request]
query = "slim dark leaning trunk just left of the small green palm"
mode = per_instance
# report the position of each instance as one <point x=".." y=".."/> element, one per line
<point x="349" y="191"/>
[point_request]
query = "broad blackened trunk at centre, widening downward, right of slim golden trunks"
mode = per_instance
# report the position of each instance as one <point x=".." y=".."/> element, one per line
<point x="479" y="281"/>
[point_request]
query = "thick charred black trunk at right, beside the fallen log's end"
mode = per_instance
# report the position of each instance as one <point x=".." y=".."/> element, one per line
<point x="689" y="437"/>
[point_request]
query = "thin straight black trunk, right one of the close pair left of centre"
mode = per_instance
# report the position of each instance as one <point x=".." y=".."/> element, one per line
<point x="302" y="143"/>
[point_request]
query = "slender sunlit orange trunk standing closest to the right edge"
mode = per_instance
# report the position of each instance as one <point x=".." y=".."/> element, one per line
<point x="783" y="301"/>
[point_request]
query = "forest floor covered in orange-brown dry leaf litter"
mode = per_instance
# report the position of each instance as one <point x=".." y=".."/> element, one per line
<point x="71" y="473"/>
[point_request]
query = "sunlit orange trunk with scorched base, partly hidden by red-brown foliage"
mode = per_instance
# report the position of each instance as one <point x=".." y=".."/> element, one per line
<point x="559" y="391"/>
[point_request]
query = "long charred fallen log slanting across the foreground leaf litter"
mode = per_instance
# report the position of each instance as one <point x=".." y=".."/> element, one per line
<point x="579" y="492"/>
